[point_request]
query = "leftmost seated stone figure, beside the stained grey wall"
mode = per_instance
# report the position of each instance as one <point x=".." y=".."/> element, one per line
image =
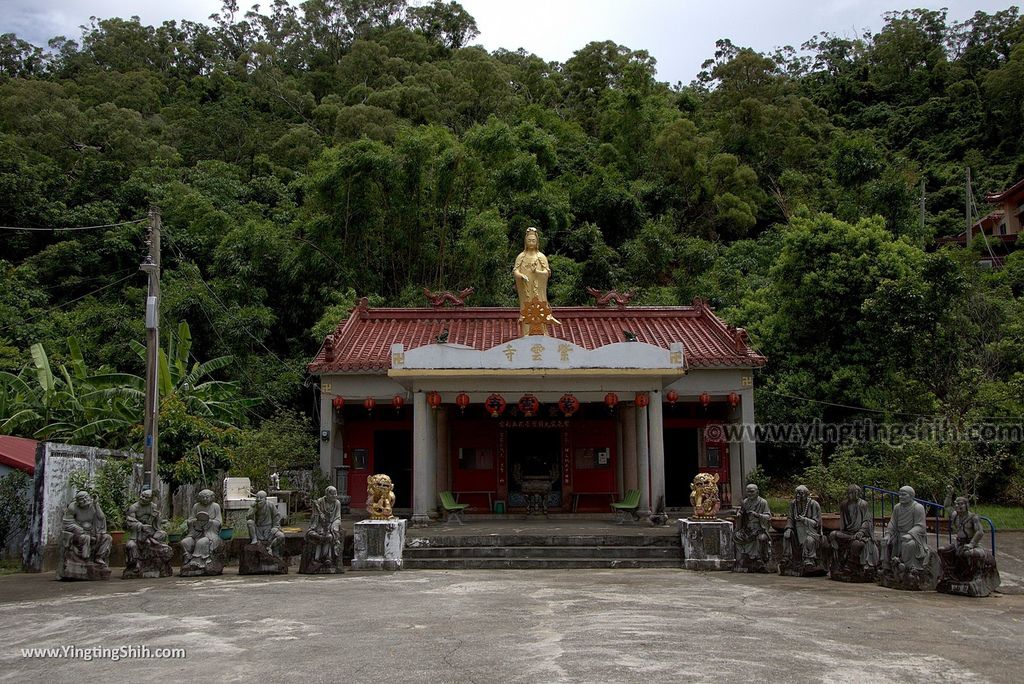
<point x="86" y="546"/>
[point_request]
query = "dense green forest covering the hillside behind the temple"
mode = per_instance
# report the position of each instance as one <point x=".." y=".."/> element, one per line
<point x="303" y="157"/>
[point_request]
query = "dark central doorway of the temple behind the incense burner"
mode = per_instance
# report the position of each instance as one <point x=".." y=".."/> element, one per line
<point x="535" y="467"/>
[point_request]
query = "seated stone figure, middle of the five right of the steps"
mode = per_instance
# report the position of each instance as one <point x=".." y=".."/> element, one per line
<point x="856" y="555"/>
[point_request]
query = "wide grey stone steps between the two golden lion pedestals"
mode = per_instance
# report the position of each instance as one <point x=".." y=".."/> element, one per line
<point x="541" y="551"/>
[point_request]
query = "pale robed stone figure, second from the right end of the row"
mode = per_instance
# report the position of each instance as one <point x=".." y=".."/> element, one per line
<point x="908" y="562"/>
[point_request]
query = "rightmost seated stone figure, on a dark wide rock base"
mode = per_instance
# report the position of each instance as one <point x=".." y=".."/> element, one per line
<point x="968" y="569"/>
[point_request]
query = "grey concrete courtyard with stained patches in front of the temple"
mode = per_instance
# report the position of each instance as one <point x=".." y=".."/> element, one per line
<point x="514" y="626"/>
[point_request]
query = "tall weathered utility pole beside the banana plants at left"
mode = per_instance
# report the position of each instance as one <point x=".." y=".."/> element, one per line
<point x="152" y="269"/>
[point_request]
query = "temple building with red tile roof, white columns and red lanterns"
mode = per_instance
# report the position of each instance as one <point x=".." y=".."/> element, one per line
<point x="627" y="398"/>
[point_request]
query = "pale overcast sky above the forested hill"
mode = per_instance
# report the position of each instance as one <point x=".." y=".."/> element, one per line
<point x="680" y="34"/>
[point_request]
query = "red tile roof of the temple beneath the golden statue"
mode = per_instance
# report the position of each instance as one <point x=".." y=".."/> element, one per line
<point x="363" y="343"/>
